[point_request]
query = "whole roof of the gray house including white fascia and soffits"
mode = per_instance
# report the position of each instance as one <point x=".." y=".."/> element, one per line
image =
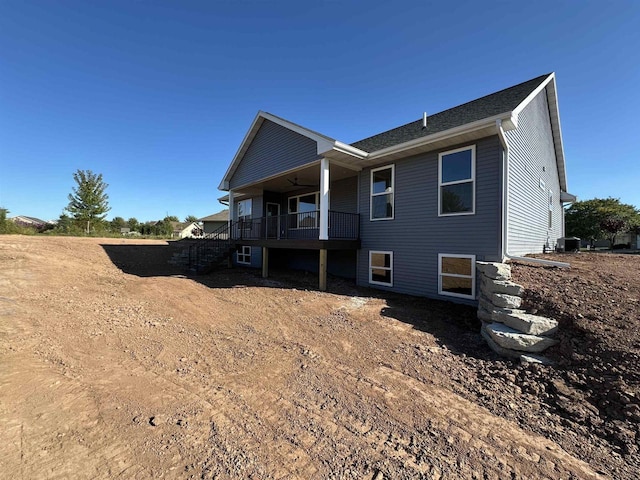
<point x="476" y="119"/>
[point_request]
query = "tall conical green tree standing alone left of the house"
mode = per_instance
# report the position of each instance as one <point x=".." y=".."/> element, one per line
<point x="89" y="202"/>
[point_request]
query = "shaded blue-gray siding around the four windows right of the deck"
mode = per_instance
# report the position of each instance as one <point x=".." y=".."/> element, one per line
<point x="417" y="234"/>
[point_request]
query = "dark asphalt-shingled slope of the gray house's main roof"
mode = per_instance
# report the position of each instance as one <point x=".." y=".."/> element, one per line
<point x="488" y="106"/>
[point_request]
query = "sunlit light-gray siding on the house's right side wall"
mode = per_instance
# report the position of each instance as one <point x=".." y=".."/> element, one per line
<point x="531" y="159"/>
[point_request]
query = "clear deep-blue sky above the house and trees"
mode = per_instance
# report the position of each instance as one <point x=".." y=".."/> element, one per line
<point x="158" y="95"/>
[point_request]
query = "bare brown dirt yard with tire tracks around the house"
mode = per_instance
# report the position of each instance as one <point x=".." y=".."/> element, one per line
<point x="115" y="365"/>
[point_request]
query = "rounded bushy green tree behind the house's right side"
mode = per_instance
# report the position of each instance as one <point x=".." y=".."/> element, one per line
<point x="600" y="217"/>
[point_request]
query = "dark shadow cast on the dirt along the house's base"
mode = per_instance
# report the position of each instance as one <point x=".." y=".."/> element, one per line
<point x="454" y="326"/>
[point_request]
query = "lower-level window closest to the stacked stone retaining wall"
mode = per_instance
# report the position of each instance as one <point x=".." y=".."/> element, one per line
<point x="457" y="275"/>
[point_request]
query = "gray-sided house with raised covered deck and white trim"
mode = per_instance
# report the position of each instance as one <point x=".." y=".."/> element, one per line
<point x="409" y="210"/>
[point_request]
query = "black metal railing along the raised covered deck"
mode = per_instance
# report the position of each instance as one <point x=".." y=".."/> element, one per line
<point x="292" y="226"/>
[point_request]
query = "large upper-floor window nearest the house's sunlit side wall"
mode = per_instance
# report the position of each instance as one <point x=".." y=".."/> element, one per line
<point x="456" y="172"/>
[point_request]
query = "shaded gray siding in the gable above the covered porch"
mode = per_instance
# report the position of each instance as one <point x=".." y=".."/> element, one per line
<point x="274" y="149"/>
